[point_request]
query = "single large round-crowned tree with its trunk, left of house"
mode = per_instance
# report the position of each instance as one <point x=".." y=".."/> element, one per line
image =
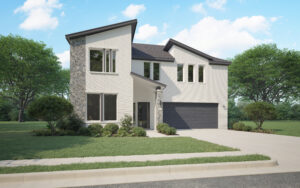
<point x="27" y="69"/>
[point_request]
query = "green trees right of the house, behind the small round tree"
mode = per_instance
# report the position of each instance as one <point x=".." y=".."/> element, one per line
<point x="268" y="74"/>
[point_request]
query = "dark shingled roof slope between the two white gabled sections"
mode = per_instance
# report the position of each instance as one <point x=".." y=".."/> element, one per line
<point x="150" y="52"/>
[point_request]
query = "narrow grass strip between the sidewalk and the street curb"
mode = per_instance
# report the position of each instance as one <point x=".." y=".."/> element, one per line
<point x="85" y="166"/>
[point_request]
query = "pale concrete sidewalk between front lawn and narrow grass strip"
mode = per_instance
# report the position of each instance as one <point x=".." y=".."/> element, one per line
<point x="155" y="157"/>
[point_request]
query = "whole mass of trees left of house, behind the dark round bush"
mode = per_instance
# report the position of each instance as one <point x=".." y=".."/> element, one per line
<point x="28" y="70"/>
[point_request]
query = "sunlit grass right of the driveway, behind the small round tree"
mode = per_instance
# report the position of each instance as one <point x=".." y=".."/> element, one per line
<point x="290" y="128"/>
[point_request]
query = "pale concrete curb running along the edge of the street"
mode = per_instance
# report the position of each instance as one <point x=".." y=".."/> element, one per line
<point x="132" y="171"/>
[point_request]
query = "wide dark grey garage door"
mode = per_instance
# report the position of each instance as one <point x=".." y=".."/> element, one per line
<point x="191" y="115"/>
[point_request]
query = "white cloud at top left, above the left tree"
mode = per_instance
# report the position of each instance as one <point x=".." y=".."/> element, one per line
<point x="39" y="14"/>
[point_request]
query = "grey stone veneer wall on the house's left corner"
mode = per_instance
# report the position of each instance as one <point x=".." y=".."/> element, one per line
<point x="77" y="79"/>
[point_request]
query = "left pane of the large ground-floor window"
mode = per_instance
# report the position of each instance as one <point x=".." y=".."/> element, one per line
<point x="93" y="107"/>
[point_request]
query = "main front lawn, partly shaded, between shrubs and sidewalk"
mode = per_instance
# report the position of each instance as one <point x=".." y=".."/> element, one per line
<point x="16" y="142"/>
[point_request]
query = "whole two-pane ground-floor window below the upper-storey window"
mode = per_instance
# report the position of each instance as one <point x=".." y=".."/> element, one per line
<point x="101" y="107"/>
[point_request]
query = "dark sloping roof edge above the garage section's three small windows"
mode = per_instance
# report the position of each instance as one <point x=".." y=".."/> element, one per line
<point x="212" y="60"/>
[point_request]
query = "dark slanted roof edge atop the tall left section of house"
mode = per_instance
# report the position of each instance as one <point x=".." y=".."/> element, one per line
<point x="133" y="24"/>
